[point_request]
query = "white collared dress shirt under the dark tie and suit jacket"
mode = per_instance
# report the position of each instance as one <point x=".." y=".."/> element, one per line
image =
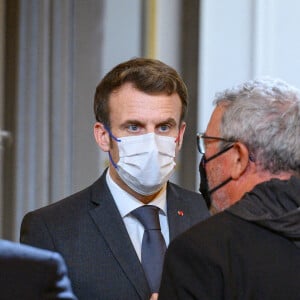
<point x="126" y="203"/>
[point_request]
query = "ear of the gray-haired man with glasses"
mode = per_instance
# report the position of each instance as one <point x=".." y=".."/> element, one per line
<point x="239" y="160"/>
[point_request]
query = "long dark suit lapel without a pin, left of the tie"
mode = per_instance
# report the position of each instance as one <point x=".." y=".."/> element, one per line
<point x="110" y="224"/>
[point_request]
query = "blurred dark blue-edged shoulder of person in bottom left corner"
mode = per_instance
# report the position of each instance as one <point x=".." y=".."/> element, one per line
<point x="30" y="273"/>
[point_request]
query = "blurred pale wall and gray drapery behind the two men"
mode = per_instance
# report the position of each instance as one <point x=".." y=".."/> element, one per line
<point x="53" y="53"/>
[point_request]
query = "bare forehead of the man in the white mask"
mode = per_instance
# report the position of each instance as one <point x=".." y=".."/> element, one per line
<point x="129" y="103"/>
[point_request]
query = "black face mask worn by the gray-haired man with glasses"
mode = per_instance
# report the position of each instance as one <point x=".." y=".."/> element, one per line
<point x="204" y="188"/>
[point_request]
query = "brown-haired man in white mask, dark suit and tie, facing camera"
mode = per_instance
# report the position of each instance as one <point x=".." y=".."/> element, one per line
<point x="140" y="106"/>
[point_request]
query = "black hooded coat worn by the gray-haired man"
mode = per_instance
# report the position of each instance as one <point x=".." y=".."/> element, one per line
<point x="228" y="257"/>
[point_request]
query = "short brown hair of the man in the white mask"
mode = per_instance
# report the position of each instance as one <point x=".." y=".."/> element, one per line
<point x="147" y="75"/>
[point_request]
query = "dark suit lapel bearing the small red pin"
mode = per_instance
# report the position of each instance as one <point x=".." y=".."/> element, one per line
<point x="179" y="212"/>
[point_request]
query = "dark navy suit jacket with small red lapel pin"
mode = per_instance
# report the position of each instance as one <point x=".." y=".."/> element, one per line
<point x="87" y="229"/>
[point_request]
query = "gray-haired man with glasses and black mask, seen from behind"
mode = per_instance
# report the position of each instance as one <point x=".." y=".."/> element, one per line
<point x="251" y="170"/>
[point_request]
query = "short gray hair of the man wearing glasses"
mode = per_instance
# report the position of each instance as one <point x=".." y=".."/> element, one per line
<point x="265" y="116"/>
